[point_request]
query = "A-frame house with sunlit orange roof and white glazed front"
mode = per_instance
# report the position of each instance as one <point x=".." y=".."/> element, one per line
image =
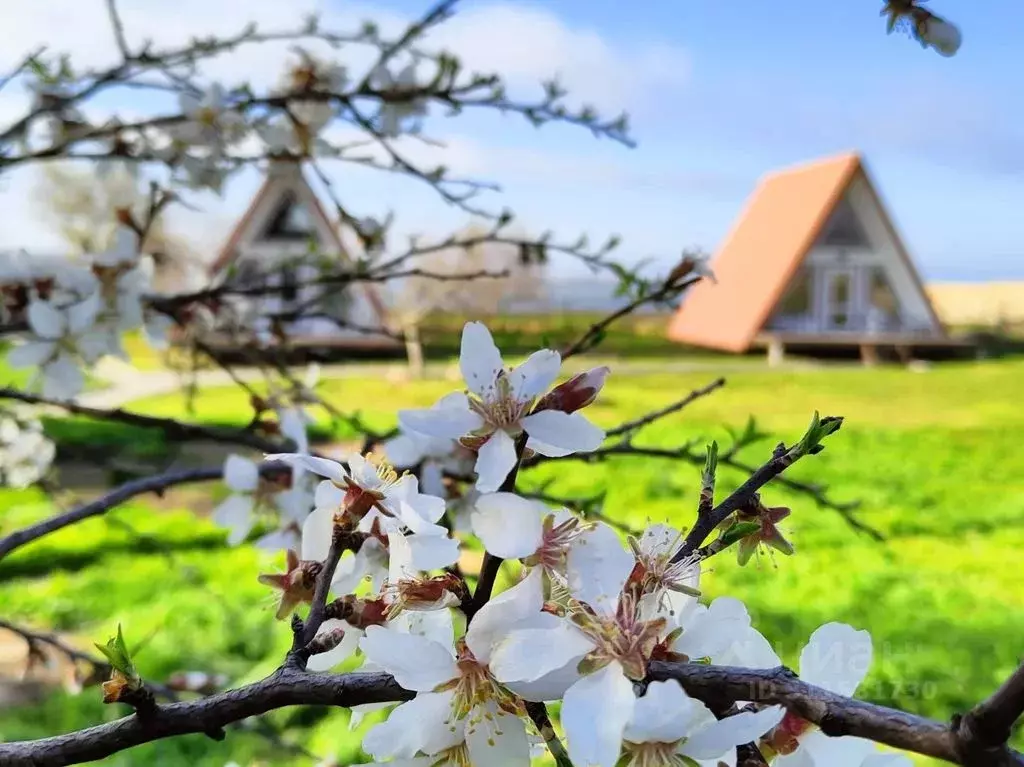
<point x="814" y="262"/>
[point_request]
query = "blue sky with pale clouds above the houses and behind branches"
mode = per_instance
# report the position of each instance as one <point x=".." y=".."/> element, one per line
<point x="719" y="94"/>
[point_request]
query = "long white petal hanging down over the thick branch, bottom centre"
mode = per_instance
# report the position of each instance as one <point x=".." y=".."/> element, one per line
<point x="594" y="715"/>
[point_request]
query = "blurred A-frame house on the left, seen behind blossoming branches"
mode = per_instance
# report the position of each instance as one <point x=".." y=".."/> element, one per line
<point x="285" y="239"/>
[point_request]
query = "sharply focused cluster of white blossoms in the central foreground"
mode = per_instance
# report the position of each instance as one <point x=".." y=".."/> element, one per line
<point x="581" y="623"/>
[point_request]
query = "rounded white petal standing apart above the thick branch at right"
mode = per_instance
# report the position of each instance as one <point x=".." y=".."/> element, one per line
<point x="837" y="658"/>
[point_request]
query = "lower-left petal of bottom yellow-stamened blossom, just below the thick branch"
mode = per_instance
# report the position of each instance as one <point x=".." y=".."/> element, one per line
<point x="417" y="726"/>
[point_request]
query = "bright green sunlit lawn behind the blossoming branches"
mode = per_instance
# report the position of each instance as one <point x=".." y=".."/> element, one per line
<point x="935" y="458"/>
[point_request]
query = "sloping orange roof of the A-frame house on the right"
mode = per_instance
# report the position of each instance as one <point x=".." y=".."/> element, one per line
<point x="783" y="221"/>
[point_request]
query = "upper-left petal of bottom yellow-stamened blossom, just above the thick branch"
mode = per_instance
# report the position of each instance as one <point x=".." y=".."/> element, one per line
<point x="416" y="663"/>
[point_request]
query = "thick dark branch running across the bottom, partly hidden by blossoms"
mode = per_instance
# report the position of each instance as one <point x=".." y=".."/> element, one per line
<point x="836" y="715"/>
